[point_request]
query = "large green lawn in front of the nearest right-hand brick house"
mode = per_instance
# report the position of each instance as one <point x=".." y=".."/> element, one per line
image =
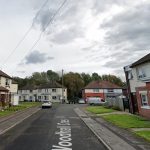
<point x="127" y="121"/>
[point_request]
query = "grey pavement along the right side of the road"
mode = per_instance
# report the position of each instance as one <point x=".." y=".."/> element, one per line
<point x="112" y="137"/>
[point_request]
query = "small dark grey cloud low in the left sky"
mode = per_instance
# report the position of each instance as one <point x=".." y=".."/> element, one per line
<point x="36" y="57"/>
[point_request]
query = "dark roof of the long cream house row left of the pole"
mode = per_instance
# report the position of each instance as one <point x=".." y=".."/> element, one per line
<point x="51" y="84"/>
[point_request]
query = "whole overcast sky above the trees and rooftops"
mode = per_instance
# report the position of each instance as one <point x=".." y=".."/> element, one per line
<point x="87" y="36"/>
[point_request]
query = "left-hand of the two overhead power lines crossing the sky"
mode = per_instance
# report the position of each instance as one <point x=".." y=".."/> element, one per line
<point x="26" y="33"/>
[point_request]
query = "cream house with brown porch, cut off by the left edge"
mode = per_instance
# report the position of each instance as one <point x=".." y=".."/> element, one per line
<point x="8" y="89"/>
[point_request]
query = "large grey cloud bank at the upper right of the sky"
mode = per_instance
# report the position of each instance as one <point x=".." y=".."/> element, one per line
<point x="130" y="27"/>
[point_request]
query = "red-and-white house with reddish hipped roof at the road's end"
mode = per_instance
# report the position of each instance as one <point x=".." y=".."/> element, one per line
<point x="101" y="89"/>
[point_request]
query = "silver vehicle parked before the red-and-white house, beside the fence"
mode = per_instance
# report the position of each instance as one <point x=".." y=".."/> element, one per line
<point x="95" y="101"/>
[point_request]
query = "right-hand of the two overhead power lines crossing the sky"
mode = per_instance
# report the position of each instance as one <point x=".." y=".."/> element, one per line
<point x="50" y="21"/>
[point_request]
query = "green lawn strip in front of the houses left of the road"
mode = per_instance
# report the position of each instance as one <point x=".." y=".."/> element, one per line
<point x="21" y="106"/>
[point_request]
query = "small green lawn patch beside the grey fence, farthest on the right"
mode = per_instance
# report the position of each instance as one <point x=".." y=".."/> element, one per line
<point x="99" y="109"/>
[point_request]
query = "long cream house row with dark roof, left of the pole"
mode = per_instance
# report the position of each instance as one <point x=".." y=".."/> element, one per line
<point x="52" y="91"/>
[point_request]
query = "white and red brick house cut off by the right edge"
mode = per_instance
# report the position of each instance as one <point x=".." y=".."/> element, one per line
<point x="138" y="82"/>
